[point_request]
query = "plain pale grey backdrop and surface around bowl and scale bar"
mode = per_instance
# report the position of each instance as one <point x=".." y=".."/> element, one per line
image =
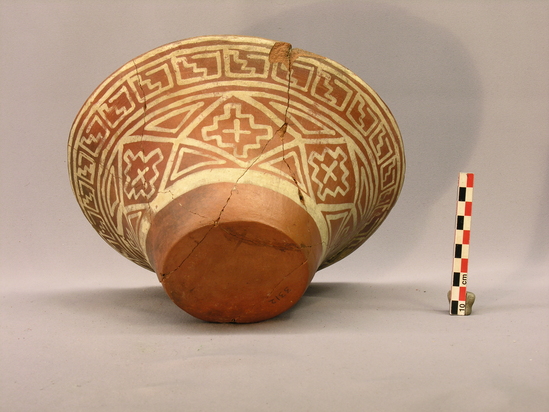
<point x="468" y="82"/>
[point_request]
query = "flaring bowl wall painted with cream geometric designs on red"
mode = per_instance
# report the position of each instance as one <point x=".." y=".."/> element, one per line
<point x="211" y="108"/>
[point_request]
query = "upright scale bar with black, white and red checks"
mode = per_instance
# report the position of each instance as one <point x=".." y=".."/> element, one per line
<point x="460" y="267"/>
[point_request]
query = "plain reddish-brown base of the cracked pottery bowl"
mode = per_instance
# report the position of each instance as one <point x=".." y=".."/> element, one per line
<point x="238" y="256"/>
